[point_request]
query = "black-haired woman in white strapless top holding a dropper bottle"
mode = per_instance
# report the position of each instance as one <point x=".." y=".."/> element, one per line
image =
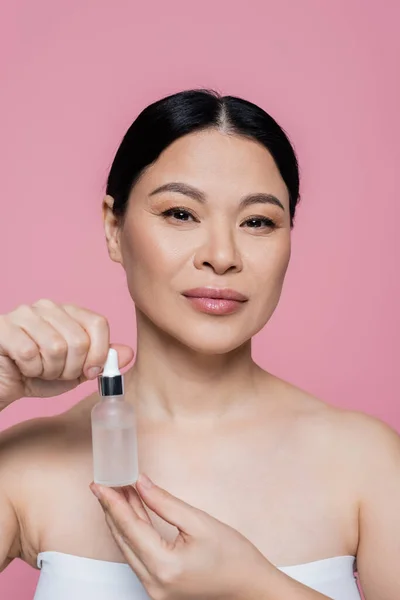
<point x="268" y="491"/>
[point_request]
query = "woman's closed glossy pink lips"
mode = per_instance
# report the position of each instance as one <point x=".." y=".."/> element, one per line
<point x="214" y="301"/>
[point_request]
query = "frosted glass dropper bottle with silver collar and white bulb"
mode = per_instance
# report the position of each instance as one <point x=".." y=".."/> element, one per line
<point x="114" y="441"/>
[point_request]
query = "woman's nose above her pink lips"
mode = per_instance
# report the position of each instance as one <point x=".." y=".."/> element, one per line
<point x="219" y="253"/>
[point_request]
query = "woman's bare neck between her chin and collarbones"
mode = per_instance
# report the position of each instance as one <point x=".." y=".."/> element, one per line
<point x="171" y="382"/>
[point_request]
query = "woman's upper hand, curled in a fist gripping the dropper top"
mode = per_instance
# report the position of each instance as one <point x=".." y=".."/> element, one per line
<point x="47" y="349"/>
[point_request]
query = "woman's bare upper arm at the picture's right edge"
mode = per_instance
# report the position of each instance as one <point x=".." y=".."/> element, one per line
<point x="378" y="557"/>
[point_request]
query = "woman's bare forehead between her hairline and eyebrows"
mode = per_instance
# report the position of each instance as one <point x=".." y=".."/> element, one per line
<point x="217" y="162"/>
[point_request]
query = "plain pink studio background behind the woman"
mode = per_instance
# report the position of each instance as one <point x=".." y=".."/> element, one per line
<point x="74" y="74"/>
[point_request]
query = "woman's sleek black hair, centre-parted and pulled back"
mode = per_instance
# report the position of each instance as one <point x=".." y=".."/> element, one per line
<point x="170" y="118"/>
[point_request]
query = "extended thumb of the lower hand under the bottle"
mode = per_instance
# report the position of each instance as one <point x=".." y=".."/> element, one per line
<point x="185" y="517"/>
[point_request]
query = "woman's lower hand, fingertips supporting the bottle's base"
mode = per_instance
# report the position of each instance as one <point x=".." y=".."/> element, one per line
<point x="207" y="559"/>
